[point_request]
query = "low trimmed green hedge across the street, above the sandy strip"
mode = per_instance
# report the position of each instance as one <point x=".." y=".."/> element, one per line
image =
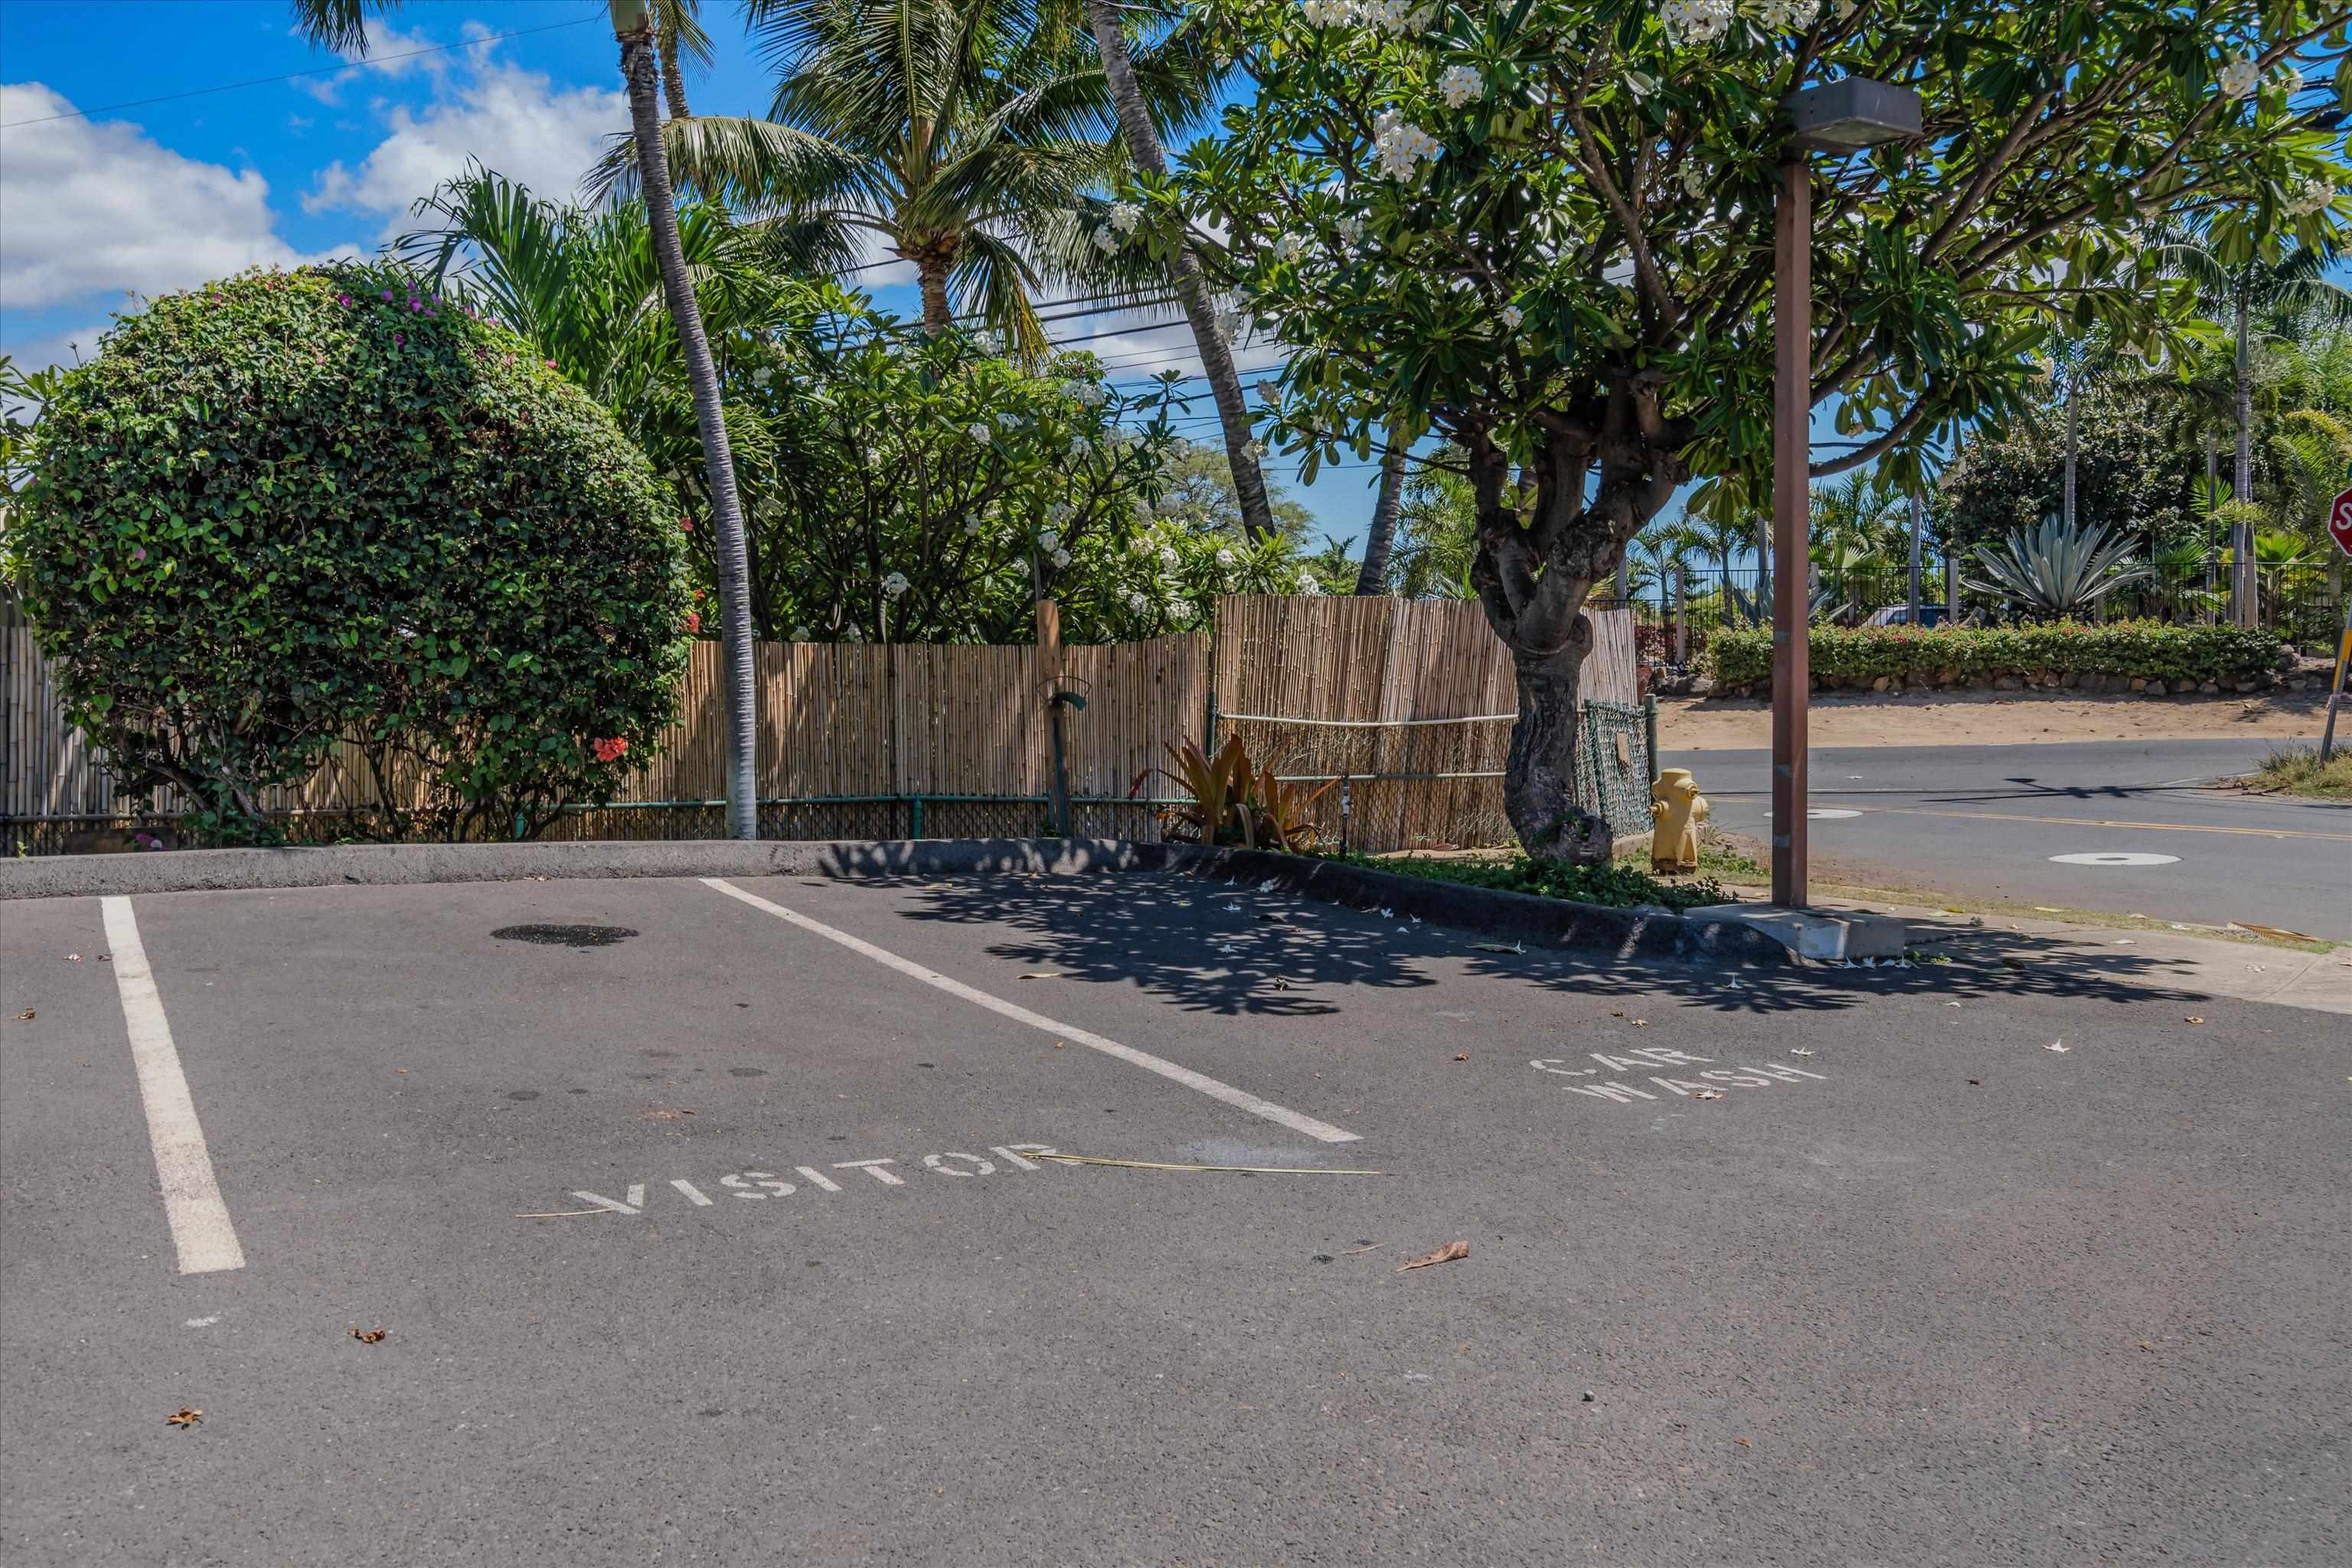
<point x="2123" y="650"/>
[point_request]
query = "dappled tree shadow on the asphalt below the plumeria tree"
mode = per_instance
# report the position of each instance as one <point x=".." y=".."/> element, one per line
<point x="1231" y="949"/>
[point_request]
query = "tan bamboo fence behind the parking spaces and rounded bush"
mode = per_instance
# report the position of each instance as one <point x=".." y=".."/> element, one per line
<point x="1410" y="699"/>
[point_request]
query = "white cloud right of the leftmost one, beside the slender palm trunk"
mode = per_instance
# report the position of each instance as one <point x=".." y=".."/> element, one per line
<point x="514" y="121"/>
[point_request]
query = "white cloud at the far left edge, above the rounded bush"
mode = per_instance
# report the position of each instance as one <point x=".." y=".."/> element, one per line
<point x="102" y="208"/>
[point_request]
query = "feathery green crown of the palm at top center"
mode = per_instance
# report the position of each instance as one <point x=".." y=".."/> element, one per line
<point x="961" y="133"/>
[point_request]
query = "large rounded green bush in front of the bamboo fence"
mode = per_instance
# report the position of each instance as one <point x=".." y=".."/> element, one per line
<point x="326" y="504"/>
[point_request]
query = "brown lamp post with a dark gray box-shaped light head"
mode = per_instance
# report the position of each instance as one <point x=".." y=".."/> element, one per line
<point x="1831" y="119"/>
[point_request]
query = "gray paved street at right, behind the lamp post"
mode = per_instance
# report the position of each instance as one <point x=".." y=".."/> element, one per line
<point x="1986" y="819"/>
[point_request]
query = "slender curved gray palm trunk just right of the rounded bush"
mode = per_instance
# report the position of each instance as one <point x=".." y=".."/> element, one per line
<point x="719" y="460"/>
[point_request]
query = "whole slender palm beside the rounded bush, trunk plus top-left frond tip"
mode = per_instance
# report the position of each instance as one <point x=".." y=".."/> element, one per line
<point x="342" y="25"/>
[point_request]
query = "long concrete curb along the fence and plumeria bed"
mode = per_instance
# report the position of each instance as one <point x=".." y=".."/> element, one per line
<point x="1518" y="918"/>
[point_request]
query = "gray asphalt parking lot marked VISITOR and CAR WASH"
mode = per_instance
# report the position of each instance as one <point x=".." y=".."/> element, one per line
<point x="1902" y="1289"/>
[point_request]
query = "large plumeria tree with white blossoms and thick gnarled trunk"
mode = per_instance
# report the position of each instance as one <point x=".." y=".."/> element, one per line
<point x="1544" y="232"/>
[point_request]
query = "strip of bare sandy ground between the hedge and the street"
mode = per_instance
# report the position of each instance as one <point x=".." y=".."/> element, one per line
<point x="1993" y="718"/>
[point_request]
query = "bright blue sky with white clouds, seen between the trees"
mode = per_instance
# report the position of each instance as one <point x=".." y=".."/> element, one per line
<point x="171" y="194"/>
